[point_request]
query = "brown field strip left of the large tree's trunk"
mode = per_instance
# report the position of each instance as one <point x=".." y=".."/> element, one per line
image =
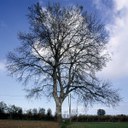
<point x="27" y="124"/>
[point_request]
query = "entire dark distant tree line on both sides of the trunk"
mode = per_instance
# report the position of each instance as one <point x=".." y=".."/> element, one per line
<point x="17" y="113"/>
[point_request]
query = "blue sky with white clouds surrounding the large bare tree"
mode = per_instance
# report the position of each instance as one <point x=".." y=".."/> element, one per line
<point x="113" y="13"/>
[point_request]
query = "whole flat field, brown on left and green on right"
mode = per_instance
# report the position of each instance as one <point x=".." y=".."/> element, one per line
<point x="45" y="124"/>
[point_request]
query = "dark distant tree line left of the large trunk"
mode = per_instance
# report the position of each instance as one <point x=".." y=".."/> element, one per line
<point x="14" y="112"/>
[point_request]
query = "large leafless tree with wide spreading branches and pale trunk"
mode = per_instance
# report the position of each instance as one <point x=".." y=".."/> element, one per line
<point x="62" y="53"/>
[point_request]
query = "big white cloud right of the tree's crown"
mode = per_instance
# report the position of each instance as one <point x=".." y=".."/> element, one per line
<point x="118" y="44"/>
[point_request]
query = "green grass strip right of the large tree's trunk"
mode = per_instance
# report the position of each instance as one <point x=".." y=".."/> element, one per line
<point x="99" y="125"/>
